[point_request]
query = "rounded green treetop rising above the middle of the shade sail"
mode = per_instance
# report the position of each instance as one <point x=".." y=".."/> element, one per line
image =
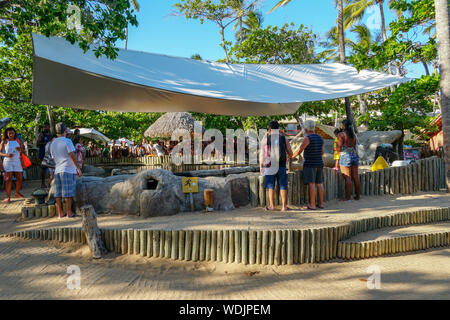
<point x="285" y="45"/>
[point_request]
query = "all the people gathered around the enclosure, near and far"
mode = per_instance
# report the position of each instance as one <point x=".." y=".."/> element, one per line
<point x="62" y="155"/>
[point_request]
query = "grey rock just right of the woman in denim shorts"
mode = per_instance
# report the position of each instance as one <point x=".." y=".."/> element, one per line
<point x="370" y="140"/>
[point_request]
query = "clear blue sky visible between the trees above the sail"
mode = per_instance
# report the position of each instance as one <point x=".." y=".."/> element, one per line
<point x="160" y="31"/>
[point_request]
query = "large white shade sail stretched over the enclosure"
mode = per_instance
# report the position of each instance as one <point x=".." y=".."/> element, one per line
<point x="143" y="82"/>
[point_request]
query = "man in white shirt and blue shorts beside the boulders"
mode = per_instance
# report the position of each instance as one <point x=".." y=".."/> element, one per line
<point x="63" y="151"/>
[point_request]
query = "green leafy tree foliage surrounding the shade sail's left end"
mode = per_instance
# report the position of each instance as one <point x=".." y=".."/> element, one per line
<point x="102" y="23"/>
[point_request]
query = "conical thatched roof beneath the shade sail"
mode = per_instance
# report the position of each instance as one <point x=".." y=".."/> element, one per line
<point x="169" y="122"/>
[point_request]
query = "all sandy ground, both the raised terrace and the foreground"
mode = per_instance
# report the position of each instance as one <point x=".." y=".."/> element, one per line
<point x="38" y="270"/>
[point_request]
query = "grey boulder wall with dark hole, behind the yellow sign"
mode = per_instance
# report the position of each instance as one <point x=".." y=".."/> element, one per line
<point x="150" y="193"/>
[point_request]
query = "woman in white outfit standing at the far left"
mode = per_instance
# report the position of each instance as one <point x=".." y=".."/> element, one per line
<point x="11" y="149"/>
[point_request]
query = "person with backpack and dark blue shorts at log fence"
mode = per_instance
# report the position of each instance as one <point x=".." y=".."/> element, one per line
<point x="282" y="149"/>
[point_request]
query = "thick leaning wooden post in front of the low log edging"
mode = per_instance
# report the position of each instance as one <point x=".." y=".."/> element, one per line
<point x="90" y="227"/>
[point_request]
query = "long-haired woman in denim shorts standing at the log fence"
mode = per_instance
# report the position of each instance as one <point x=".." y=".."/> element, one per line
<point x="346" y="146"/>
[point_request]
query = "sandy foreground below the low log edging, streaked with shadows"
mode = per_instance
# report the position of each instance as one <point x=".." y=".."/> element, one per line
<point x="38" y="270"/>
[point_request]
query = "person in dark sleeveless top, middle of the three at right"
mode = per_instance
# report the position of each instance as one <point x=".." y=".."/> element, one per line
<point x="313" y="150"/>
